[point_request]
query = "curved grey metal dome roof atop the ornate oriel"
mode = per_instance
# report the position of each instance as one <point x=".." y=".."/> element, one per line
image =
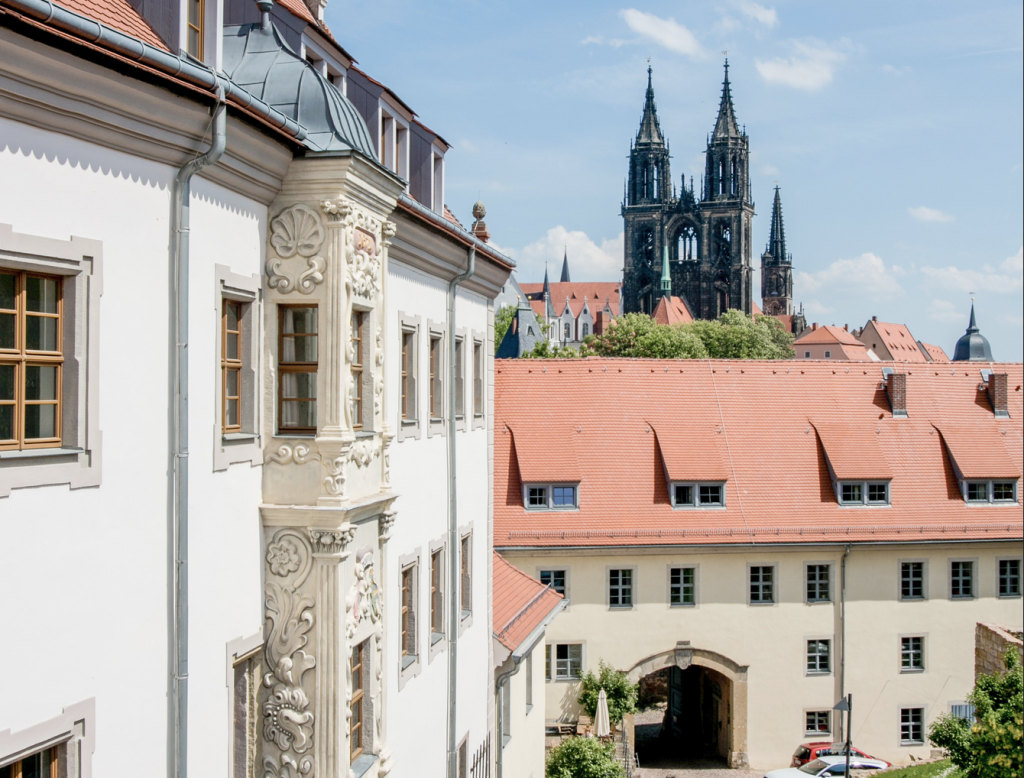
<point x="260" y="61"/>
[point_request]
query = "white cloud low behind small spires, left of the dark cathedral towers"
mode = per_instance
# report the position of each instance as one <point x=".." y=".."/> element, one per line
<point x="588" y="262"/>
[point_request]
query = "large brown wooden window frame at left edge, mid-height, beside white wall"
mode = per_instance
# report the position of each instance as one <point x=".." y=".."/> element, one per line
<point x="21" y="358"/>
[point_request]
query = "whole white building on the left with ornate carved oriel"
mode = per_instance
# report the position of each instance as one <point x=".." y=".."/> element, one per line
<point x="245" y="406"/>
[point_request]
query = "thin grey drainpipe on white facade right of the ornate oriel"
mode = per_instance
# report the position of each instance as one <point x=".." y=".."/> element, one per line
<point x="455" y="610"/>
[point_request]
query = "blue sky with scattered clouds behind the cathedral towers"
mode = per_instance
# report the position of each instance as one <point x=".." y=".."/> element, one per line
<point x="894" y="131"/>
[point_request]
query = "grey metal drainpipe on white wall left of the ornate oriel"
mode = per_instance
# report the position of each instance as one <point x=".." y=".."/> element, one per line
<point x="181" y="193"/>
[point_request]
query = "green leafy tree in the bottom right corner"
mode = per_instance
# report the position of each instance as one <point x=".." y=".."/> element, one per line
<point x="991" y="748"/>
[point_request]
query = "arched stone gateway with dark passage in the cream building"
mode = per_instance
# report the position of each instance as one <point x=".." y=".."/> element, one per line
<point x="707" y="709"/>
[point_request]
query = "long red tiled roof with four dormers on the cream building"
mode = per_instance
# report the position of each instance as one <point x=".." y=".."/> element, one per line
<point x="779" y="487"/>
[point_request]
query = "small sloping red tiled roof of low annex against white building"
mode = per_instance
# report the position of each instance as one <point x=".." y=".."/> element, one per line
<point x="520" y="603"/>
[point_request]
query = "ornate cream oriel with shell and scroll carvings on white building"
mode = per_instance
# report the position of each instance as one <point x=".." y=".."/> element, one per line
<point x="327" y="497"/>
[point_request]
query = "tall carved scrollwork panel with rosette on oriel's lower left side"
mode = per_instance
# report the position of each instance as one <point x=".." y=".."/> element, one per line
<point x="288" y="723"/>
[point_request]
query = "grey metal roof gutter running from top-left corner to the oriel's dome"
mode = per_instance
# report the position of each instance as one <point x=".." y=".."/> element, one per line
<point x="188" y="70"/>
